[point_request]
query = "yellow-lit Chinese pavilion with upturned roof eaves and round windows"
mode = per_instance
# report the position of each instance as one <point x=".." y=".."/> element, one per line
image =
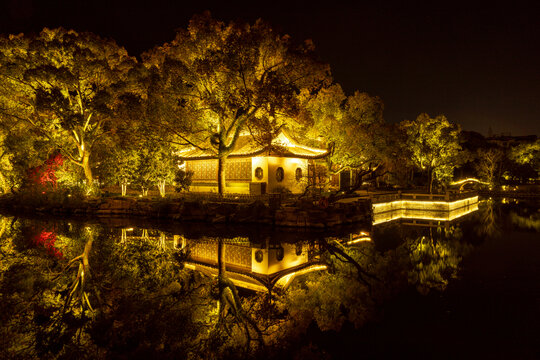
<point x="253" y="168"/>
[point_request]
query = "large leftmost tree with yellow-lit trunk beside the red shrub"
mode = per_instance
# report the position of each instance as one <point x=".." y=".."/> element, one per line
<point x="64" y="86"/>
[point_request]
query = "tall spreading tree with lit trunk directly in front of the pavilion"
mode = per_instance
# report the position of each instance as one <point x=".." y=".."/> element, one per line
<point x="231" y="78"/>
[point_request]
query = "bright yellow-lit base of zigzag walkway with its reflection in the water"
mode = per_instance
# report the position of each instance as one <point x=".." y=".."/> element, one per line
<point x="422" y="212"/>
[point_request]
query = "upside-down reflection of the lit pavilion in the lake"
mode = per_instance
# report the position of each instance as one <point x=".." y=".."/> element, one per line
<point x="257" y="267"/>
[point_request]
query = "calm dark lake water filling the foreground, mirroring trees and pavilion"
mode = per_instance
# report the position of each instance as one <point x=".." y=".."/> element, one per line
<point x="468" y="288"/>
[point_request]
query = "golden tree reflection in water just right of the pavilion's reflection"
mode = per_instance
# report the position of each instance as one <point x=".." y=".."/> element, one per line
<point x="343" y="294"/>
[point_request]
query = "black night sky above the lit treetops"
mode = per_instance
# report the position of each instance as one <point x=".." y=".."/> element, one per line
<point x="477" y="63"/>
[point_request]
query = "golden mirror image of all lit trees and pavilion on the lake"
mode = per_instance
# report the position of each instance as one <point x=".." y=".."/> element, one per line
<point x="74" y="288"/>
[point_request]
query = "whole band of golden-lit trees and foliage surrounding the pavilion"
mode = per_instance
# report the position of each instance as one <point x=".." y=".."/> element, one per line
<point x="122" y="120"/>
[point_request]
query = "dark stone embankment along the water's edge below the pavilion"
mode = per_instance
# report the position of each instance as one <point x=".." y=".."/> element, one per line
<point x="303" y="213"/>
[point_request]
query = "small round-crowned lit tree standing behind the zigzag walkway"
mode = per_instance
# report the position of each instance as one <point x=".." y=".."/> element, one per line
<point x="434" y="145"/>
